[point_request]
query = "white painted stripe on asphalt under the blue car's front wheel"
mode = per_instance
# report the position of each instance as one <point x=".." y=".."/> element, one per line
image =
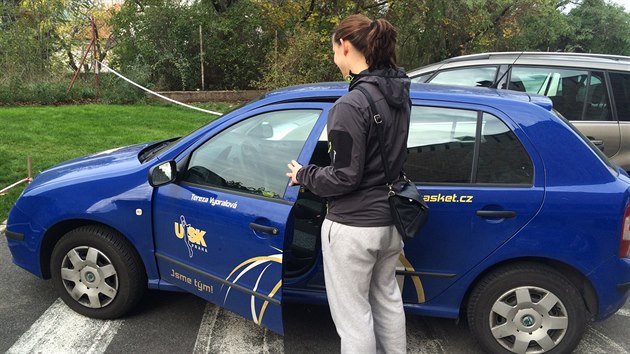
<point x="61" y="330"/>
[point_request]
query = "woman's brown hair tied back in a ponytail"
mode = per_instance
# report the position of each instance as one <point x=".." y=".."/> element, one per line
<point x="376" y="40"/>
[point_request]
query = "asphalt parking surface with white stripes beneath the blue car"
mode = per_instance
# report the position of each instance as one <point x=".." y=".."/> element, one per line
<point x="34" y="319"/>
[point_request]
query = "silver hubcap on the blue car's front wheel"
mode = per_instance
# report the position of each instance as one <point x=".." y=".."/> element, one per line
<point x="89" y="277"/>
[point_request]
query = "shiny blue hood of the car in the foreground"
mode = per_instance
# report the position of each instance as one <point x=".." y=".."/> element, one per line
<point x="100" y="165"/>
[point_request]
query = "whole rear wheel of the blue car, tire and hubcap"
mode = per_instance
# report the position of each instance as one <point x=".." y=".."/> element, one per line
<point x="526" y="308"/>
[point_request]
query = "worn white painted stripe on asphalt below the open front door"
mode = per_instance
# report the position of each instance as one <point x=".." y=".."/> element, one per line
<point x="221" y="331"/>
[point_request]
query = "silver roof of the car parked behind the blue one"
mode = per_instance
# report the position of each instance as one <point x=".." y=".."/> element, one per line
<point x="589" y="60"/>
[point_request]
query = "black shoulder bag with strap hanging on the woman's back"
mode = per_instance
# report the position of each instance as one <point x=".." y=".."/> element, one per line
<point x="408" y="209"/>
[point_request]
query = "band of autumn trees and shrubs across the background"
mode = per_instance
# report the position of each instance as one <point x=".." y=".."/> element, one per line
<point x="249" y="44"/>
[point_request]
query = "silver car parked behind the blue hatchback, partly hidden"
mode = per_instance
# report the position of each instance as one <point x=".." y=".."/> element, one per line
<point x="591" y="90"/>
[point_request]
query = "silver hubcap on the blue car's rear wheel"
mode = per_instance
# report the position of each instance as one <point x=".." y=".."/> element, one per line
<point x="528" y="320"/>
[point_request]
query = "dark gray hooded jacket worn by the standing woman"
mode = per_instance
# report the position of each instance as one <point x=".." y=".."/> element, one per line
<point x="355" y="182"/>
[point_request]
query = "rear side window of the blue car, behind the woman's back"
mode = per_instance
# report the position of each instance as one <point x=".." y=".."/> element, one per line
<point x="441" y="148"/>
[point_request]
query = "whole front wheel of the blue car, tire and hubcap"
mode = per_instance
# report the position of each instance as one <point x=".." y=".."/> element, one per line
<point x="97" y="273"/>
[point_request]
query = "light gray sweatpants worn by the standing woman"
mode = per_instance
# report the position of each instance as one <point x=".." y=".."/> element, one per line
<point x="364" y="298"/>
